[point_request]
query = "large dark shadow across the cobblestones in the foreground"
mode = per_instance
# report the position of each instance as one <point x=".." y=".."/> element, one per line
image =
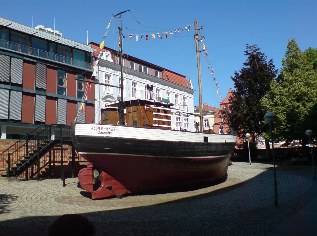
<point x="243" y="209"/>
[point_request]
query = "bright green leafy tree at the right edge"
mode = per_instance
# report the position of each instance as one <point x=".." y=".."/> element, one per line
<point x="293" y="96"/>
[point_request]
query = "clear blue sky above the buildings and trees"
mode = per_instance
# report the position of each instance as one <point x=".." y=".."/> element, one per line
<point x="228" y="26"/>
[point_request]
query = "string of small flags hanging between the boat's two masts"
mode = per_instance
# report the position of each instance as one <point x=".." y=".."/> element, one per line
<point x="159" y="35"/>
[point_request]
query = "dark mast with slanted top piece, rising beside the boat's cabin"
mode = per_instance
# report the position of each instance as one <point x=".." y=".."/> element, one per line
<point x="121" y="104"/>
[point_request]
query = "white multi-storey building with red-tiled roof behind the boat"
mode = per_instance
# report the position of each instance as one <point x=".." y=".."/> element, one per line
<point x="142" y="81"/>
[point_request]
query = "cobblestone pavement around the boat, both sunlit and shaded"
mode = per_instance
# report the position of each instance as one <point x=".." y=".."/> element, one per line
<point x="242" y="205"/>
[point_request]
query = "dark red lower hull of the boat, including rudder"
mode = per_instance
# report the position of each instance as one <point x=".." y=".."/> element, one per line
<point x="132" y="174"/>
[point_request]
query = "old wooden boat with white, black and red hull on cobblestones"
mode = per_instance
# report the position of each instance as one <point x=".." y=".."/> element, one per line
<point x="133" y="155"/>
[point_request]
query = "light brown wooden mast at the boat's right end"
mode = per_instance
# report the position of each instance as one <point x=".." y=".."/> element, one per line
<point x="197" y="40"/>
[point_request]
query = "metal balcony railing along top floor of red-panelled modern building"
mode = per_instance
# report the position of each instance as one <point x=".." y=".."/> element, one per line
<point x="44" y="54"/>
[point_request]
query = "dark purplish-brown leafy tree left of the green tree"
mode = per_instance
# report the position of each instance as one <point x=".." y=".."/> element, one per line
<point x="251" y="83"/>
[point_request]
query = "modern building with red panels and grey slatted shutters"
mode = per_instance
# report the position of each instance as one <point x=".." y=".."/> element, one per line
<point x="42" y="79"/>
